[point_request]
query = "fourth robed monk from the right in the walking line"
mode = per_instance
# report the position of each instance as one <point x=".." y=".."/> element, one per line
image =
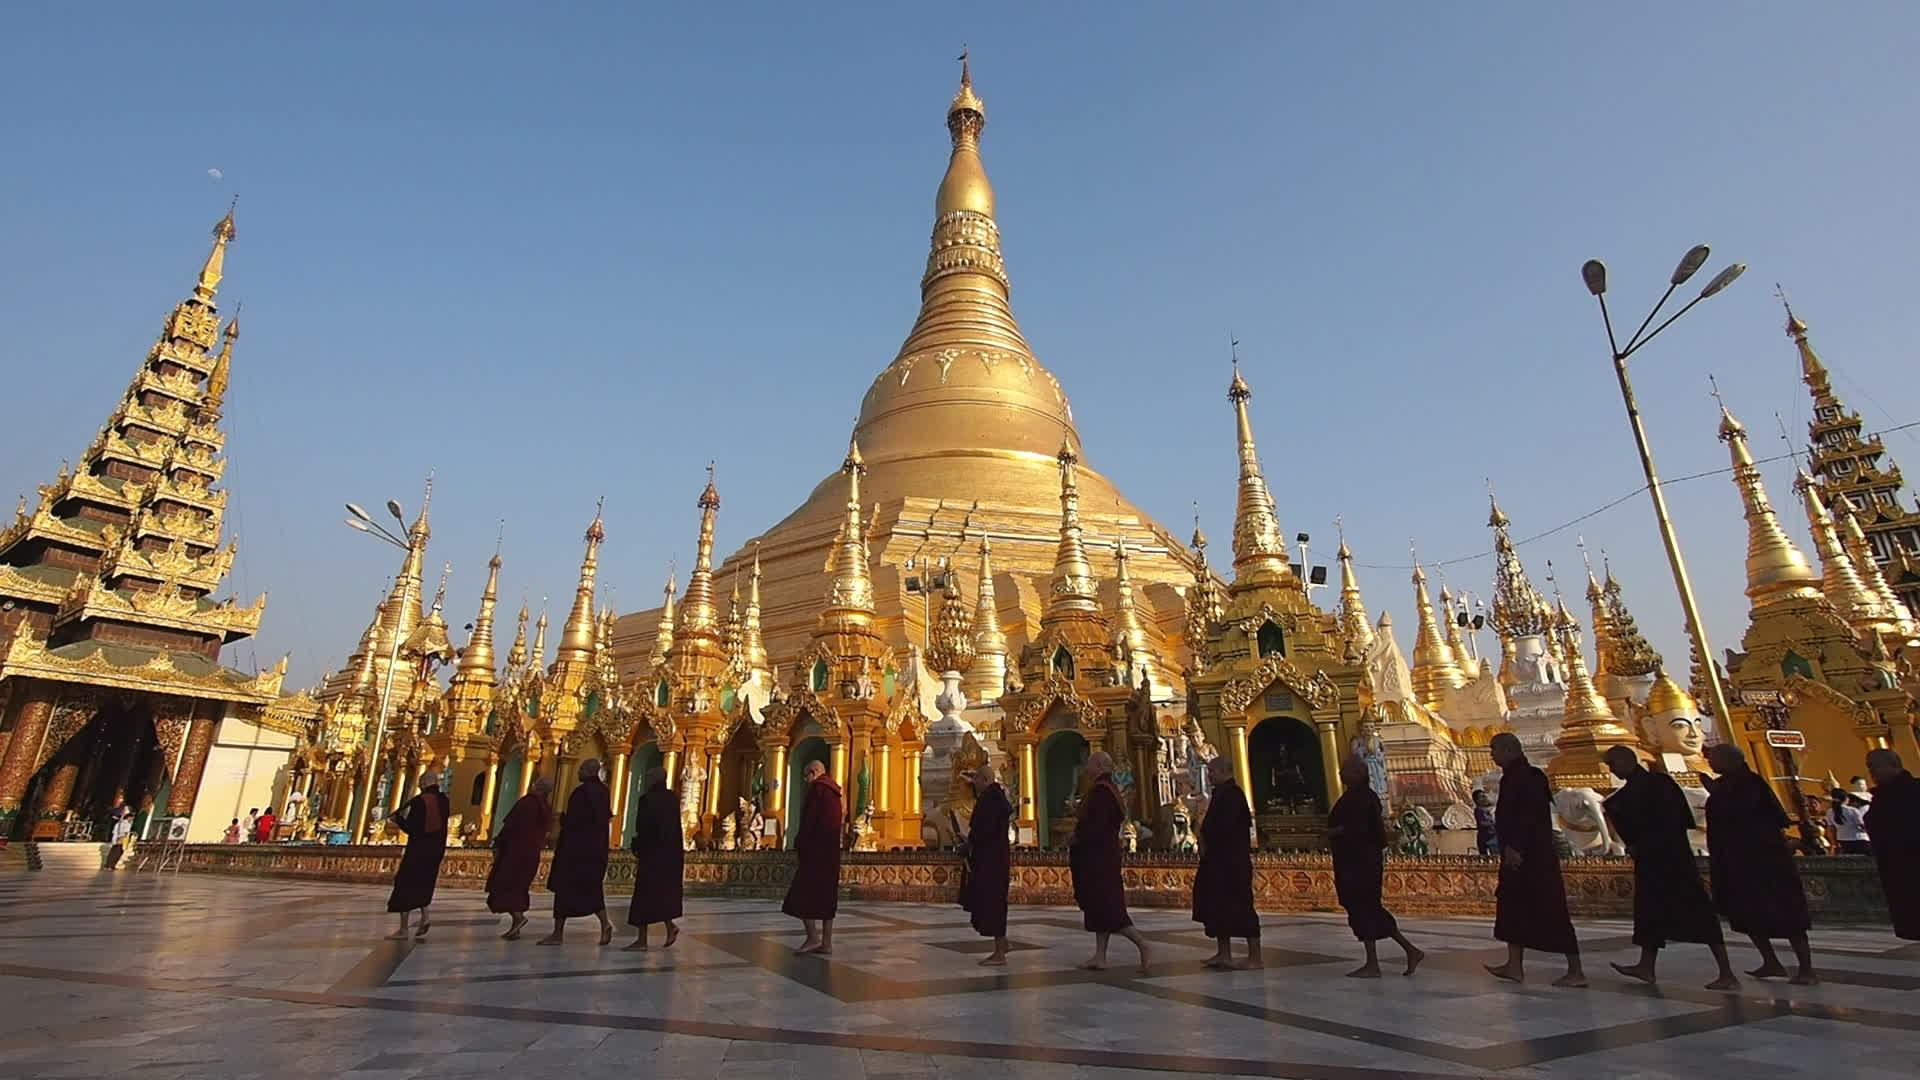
<point x="1531" y="900"/>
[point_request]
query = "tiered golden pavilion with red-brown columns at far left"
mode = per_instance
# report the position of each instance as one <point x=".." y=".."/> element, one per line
<point x="110" y="629"/>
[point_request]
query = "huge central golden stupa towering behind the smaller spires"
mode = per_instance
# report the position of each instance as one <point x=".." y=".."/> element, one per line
<point x="961" y="435"/>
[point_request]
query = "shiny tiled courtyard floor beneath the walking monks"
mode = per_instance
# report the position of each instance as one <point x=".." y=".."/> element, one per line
<point x="189" y="977"/>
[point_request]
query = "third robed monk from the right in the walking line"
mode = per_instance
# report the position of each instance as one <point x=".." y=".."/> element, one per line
<point x="1671" y="904"/>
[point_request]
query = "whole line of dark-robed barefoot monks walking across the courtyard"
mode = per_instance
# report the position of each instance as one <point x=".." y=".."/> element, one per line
<point x="1752" y="870"/>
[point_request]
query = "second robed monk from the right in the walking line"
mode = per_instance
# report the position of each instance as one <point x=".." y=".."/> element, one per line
<point x="1754" y="879"/>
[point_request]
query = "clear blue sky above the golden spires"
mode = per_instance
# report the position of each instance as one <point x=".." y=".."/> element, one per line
<point x="577" y="251"/>
